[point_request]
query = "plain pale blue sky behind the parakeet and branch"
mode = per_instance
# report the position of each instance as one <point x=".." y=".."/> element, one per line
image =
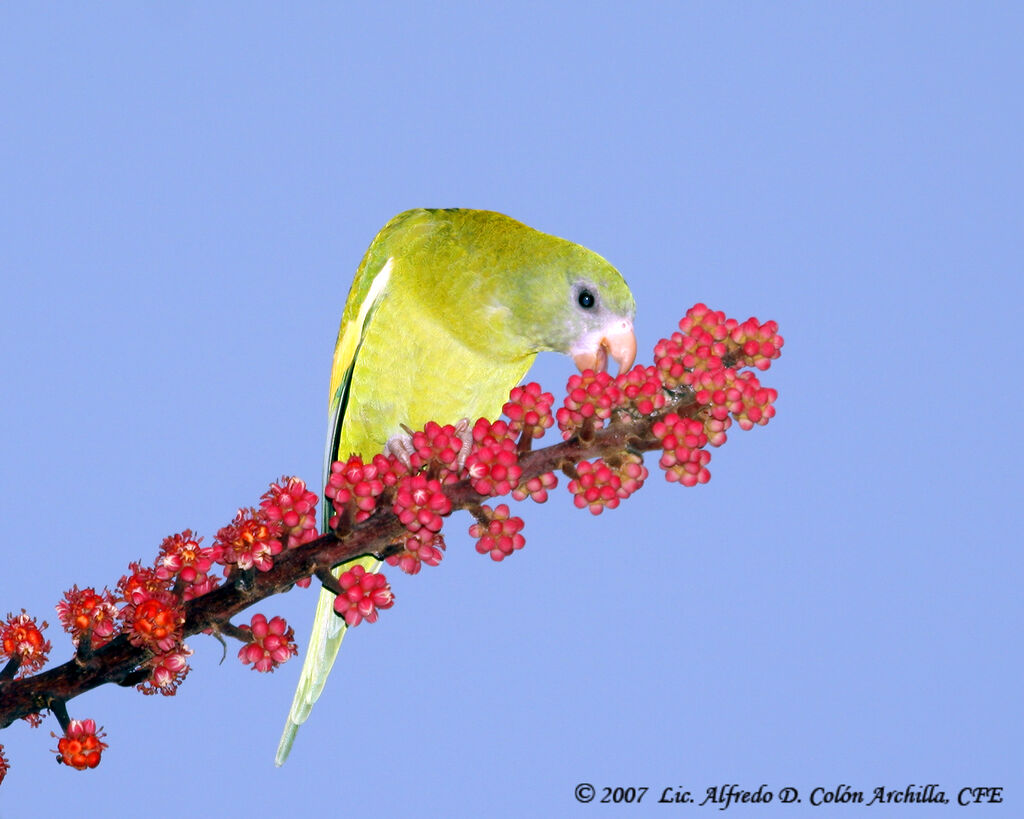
<point x="187" y="193"/>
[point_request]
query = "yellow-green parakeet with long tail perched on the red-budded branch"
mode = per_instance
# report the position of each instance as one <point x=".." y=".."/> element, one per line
<point x="447" y="314"/>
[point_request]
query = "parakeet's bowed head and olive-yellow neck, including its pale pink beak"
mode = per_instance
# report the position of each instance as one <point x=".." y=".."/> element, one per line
<point x="518" y="292"/>
